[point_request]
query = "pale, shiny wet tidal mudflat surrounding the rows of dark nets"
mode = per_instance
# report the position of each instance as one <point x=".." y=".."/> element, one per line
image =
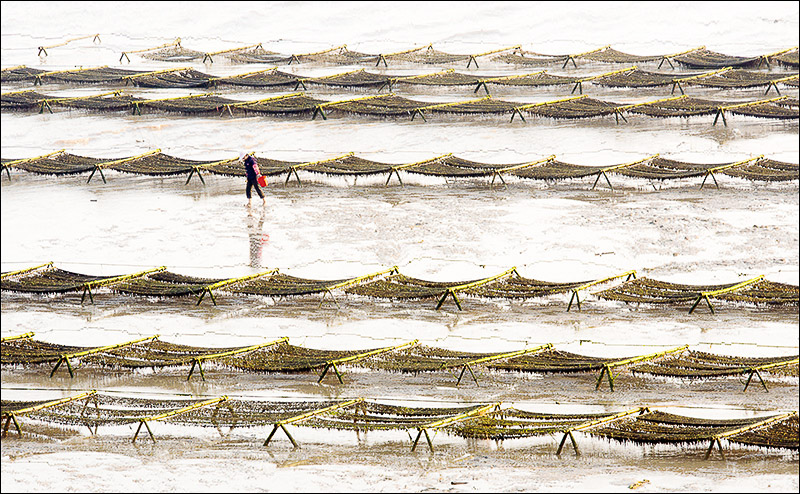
<point x="329" y="228"/>
